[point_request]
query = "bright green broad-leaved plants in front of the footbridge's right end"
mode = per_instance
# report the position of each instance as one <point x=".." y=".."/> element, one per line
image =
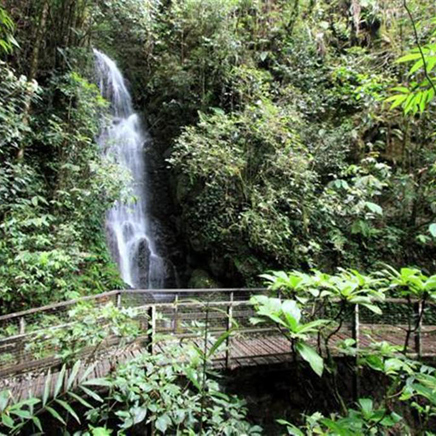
<point x="409" y="382"/>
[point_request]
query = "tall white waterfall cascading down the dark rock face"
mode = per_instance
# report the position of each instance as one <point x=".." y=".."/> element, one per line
<point x="128" y="225"/>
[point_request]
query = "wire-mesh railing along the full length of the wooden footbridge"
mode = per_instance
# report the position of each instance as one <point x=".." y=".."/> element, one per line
<point x="26" y="338"/>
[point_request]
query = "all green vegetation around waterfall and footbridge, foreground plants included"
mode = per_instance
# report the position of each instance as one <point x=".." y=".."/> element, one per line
<point x="294" y="135"/>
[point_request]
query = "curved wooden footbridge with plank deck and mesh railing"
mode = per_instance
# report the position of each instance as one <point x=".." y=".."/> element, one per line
<point x="33" y="341"/>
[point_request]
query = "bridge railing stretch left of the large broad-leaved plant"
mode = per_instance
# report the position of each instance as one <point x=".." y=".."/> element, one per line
<point x="28" y="342"/>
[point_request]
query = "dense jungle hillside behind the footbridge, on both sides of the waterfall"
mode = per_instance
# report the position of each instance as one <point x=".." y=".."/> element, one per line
<point x="282" y="146"/>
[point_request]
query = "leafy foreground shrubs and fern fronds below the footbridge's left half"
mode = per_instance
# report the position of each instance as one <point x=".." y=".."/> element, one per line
<point x="170" y="393"/>
